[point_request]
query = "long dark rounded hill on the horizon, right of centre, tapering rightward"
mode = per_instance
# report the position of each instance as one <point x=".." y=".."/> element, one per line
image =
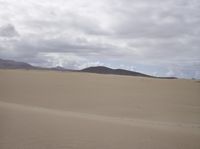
<point x="106" y="70"/>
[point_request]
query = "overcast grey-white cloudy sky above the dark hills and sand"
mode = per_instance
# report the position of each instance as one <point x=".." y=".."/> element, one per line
<point x="156" y="37"/>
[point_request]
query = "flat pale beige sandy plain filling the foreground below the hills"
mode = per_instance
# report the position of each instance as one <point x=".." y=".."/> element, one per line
<point x="70" y="110"/>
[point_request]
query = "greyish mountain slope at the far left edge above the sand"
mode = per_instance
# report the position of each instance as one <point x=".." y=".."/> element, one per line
<point x="10" y="64"/>
